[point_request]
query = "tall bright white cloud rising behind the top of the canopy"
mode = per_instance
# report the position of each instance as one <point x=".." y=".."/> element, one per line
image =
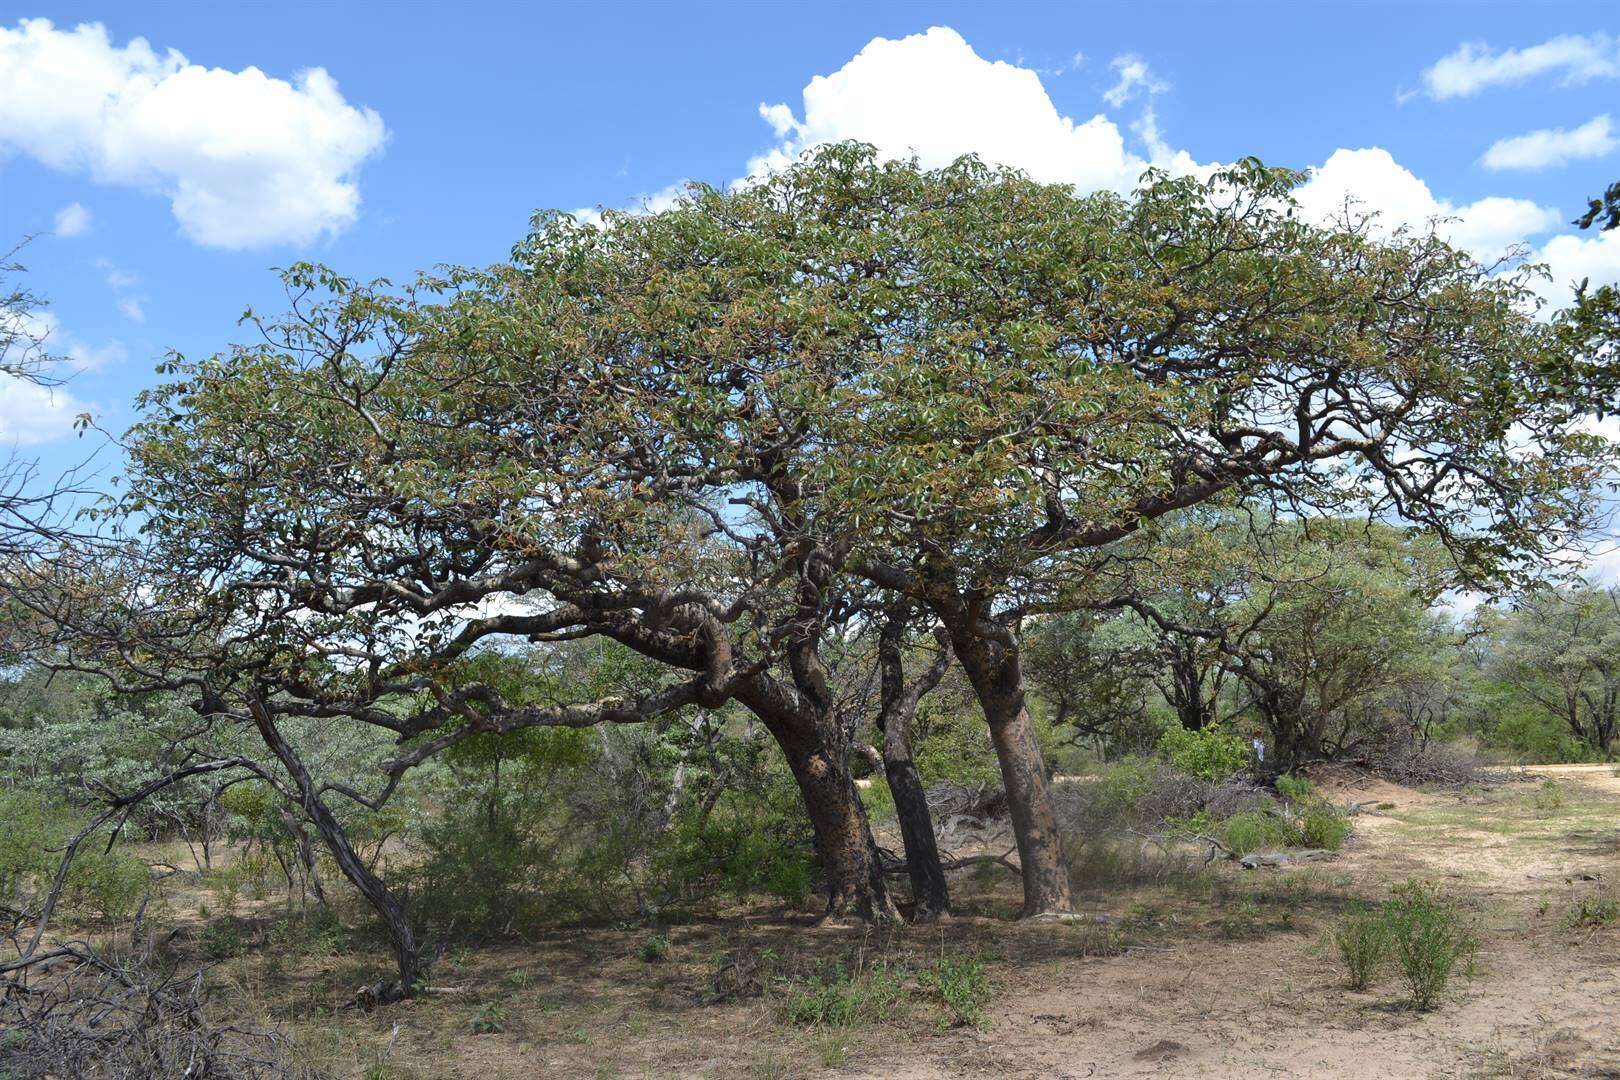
<point x="931" y="95"/>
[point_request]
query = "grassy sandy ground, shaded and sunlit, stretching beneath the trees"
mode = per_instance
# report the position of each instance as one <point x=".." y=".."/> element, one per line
<point x="1229" y="974"/>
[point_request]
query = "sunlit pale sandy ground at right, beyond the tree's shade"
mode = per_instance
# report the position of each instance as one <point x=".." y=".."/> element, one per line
<point x="1545" y="1001"/>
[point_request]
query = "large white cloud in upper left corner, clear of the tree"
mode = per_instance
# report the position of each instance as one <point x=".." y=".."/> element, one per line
<point x="245" y="159"/>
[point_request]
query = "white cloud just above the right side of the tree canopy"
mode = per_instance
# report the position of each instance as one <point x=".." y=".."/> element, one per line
<point x="1371" y="181"/>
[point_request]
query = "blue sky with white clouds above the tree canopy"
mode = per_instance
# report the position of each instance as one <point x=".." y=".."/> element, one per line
<point x="386" y="138"/>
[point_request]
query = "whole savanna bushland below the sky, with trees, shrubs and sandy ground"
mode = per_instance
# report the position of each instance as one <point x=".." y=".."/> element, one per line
<point x="871" y="621"/>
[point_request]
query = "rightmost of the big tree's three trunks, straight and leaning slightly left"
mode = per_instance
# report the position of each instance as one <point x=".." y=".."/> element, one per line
<point x="1030" y="801"/>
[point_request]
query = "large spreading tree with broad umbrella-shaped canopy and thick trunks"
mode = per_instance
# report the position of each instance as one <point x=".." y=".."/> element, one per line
<point x="715" y="432"/>
